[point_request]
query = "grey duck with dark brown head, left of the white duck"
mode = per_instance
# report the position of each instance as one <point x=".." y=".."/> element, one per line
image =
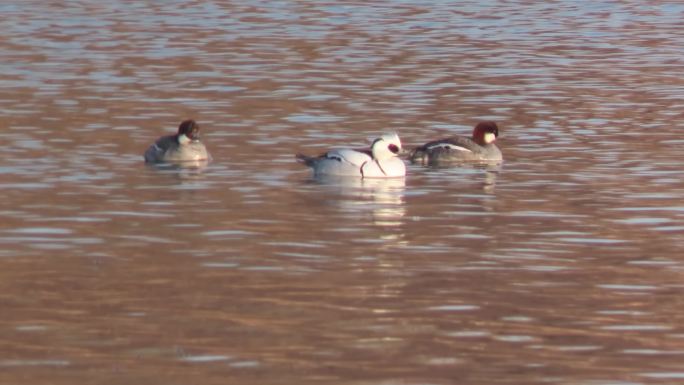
<point x="184" y="146"/>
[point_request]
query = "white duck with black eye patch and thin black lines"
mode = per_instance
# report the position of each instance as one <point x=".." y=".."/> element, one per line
<point x="380" y="161"/>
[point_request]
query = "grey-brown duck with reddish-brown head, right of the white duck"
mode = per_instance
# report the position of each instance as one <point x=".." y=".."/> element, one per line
<point x="478" y="148"/>
